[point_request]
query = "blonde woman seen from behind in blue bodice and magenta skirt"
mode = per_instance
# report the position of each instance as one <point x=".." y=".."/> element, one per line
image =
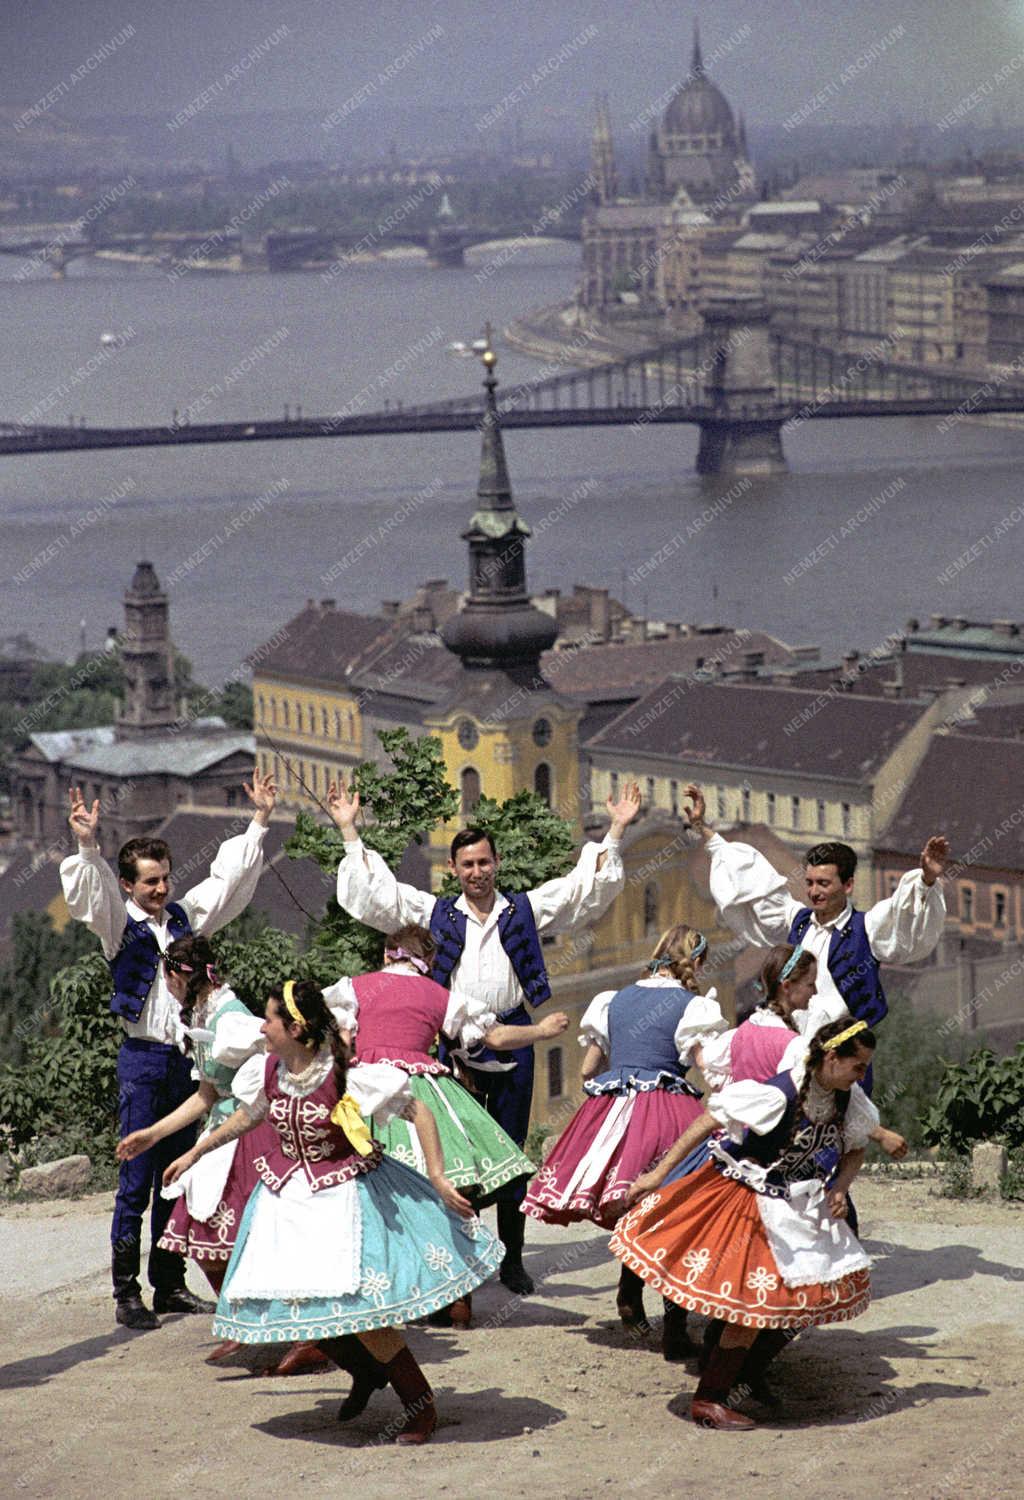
<point x="639" y="1045"/>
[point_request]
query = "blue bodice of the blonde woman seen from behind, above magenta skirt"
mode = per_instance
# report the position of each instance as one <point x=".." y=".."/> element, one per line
<point x="642" y="1028"/>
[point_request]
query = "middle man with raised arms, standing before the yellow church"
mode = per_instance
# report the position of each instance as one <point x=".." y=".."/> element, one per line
<point x="490" y="946"/>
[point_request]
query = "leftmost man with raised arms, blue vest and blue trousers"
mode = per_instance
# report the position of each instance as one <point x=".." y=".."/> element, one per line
<point x="136" y="922"/>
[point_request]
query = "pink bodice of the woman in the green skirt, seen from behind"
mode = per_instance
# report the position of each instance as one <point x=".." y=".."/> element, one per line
<point x="400" y="1019"/>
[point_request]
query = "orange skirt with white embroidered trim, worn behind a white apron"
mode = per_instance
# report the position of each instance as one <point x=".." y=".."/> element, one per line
<point x="702" y="1244"/>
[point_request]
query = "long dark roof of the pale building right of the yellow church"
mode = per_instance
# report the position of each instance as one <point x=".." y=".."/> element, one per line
<point x="761" y="728"/>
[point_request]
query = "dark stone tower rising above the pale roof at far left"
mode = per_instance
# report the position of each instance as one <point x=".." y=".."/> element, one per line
<point x="148" y="658"/>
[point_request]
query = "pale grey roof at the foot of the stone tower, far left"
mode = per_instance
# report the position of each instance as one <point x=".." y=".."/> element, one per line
<point x="205" y="745"/>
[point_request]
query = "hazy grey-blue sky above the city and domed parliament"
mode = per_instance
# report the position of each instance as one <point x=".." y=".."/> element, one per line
<point x="633" y="49"/>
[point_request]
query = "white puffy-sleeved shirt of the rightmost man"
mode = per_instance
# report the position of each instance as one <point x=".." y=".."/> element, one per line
<point x="755" y="902"/>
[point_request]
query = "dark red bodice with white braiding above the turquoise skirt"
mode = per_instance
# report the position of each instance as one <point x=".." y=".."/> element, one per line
<point x="307" y="1138"/>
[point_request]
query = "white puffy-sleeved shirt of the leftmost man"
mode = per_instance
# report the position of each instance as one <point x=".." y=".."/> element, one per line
<point x="94" y="898"/>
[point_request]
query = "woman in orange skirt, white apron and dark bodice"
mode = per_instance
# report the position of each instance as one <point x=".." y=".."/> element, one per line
<point x="752" y="1238"/>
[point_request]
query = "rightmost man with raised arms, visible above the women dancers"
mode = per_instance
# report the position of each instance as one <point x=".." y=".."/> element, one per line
<point x="849" y="946"/>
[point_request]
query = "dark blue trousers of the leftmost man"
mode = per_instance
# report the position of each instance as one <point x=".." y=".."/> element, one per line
<point x="152" y="1081"/>
